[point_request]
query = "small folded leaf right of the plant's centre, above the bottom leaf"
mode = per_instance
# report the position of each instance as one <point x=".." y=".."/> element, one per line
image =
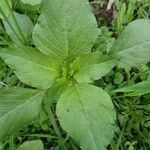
<point x="92" y="67"/>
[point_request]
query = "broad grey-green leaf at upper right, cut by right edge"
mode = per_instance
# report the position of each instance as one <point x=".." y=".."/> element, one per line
<point x="132" y="48"/>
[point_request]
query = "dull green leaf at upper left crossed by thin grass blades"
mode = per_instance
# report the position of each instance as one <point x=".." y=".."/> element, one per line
<point x="25" y="25"/>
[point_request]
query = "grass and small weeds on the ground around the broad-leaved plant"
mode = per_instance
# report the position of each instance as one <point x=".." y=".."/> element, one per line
<point x="133" y="110"/>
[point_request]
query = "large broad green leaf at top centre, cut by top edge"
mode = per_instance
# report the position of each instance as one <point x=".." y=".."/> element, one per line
<point x="65" y="29"/>
